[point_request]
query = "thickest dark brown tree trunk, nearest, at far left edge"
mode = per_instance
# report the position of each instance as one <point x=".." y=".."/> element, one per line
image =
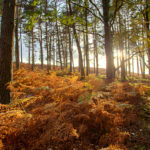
<point x="6" y="49"/>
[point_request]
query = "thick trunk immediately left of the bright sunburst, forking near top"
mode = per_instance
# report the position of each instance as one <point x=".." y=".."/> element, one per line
<point x="110" y="71"/>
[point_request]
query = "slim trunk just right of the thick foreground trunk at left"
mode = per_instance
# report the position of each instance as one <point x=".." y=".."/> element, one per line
<point x="17" y="38"/>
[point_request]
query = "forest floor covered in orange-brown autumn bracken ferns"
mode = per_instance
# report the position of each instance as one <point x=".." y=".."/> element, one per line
<point x="57" y="111"/>
